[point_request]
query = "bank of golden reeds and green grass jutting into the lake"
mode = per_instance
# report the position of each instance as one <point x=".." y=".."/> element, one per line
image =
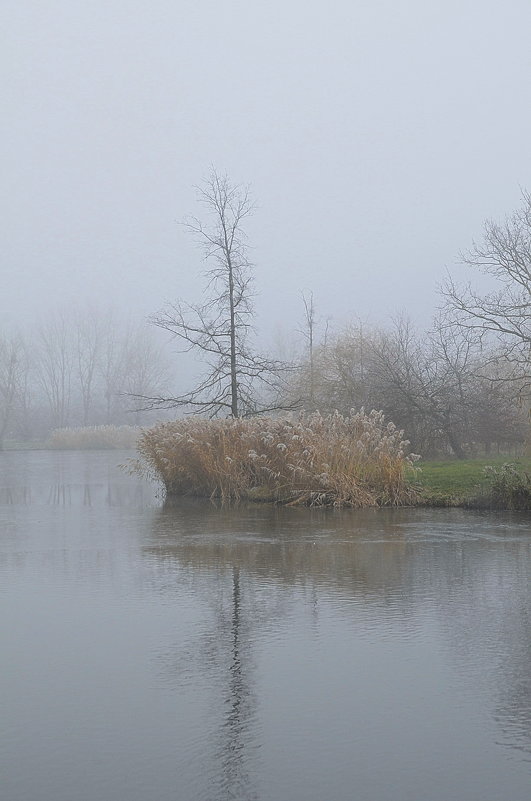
<point x="356" y="461"/>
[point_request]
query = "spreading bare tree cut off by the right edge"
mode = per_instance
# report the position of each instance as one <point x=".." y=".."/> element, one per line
<point x="501" y="317"/>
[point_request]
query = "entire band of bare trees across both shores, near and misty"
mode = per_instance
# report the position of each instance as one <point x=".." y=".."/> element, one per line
<point x="462" y="387"/>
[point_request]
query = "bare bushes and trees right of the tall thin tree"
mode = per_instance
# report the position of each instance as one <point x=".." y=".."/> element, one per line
<point x="460" y="388"/>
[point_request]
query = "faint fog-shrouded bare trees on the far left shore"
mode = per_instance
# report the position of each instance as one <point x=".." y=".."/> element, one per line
<point x="77" y="368"/>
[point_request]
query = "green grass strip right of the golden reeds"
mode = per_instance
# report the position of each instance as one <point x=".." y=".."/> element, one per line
<point x="470" y="482"/>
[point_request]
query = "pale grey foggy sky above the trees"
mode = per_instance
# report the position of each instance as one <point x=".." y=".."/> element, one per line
<point x="377" y="135"/>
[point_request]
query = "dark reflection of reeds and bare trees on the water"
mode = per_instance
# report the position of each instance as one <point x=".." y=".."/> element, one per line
<point x="395" y="567"/>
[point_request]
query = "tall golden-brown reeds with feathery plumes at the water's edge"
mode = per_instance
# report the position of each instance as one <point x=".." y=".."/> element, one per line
<point x="357" y="460"/>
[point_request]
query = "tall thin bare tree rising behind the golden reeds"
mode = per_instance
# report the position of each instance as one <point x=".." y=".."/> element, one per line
<point x="220" y="329"/>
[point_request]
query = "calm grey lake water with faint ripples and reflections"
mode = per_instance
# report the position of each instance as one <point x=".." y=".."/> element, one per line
<point x="157" y="652"/>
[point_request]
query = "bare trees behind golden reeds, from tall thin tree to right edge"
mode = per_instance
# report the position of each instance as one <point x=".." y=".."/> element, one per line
<point x="460" y="388"/>
